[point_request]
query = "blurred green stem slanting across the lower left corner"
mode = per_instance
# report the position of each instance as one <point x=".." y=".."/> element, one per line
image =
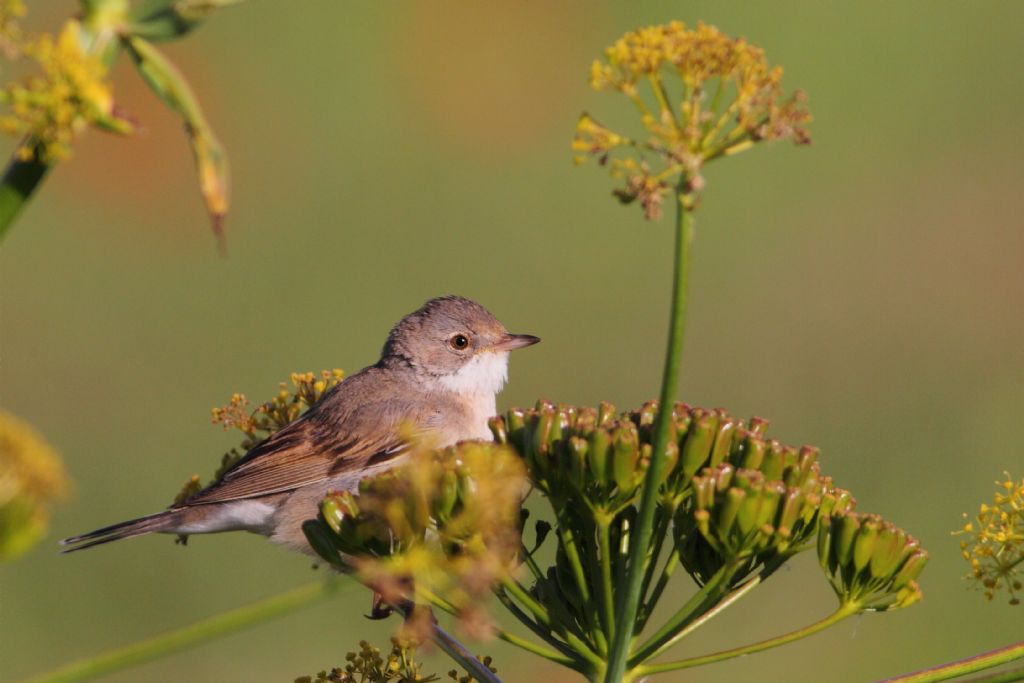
<point x="194" y="634"/>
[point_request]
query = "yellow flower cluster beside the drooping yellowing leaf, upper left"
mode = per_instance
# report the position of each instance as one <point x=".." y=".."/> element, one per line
<point x="71" y="93"/>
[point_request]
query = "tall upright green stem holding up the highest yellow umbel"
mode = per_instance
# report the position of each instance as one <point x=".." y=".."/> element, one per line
<point x="629" y="604"/>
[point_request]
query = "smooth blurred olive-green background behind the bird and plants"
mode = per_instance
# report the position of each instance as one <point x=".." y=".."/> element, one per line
<point x="866" y="294"/>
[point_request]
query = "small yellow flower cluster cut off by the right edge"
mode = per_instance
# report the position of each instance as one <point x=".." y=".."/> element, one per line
<point x="995" y="543"/>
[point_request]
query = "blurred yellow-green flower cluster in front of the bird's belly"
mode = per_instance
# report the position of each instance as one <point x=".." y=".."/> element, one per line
<point x="445" y="524"/>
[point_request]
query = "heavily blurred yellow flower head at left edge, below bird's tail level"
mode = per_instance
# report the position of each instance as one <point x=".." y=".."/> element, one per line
<point x="31" y="478"/>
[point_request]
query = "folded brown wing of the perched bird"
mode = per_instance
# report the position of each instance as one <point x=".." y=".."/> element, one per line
<point x="308" y="451"/>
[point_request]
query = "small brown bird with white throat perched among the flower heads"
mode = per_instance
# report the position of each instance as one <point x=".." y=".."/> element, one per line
<point x="440" y="372"/>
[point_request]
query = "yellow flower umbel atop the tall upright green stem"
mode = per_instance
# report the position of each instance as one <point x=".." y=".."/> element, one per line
<point x="728" y="99"/>
